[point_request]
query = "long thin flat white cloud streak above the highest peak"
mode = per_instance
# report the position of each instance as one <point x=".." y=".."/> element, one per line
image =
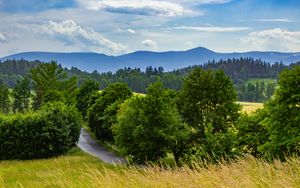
<point x="212" y="29"/>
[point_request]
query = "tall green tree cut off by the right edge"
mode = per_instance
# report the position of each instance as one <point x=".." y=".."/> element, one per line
<point x="283" y="119"/>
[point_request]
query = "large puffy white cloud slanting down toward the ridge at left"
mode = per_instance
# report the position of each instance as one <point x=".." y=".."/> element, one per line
<point x="70" y="33"/>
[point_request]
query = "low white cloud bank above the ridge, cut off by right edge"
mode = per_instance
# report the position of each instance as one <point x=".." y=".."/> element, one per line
<point x="275" y="39"/>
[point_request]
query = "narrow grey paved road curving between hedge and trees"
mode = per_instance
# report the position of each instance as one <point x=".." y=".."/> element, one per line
<point x="87" y="144"/>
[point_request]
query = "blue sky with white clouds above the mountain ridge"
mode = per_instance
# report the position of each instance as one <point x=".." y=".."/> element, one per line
<point x="116" y="27"/>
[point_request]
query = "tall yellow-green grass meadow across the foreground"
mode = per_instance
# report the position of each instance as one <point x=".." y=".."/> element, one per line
<point x="81" y="170"/>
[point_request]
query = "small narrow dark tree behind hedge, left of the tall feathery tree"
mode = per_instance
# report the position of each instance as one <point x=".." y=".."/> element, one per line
<point x="21" y="96"/>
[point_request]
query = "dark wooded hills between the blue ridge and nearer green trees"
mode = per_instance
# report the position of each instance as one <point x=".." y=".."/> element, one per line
<point x="239" y="70"/>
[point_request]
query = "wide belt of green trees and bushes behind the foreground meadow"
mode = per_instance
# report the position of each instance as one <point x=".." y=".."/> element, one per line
<point x="200" y="121"/>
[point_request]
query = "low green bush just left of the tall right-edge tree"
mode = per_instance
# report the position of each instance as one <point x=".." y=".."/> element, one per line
<point x="251" y="132"/>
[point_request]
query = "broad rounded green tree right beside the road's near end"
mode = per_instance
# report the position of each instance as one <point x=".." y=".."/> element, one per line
<point x="149" y="127"/>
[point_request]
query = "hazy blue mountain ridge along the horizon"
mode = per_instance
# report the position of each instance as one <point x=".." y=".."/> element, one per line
<point x="141" y="59"/>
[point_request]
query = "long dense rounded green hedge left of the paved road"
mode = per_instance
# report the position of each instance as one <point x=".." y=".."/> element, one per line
<point x="51" y="131"/>
